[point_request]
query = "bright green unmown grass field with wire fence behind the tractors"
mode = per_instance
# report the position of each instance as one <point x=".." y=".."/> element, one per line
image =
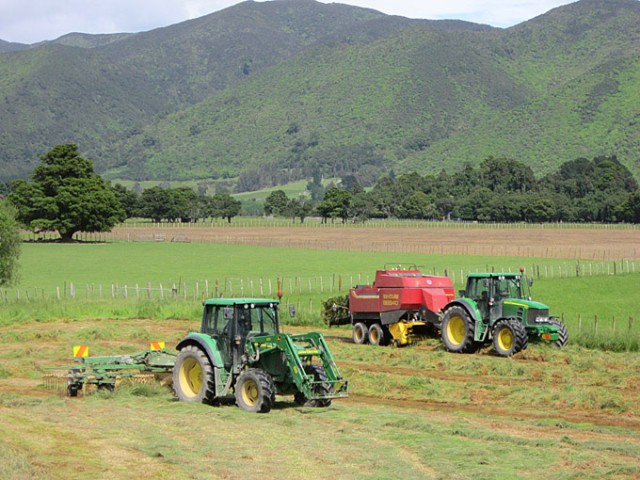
<point x="600" y="310"/>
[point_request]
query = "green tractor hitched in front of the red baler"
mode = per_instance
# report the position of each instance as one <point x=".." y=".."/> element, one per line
<point x="497" y="308"/>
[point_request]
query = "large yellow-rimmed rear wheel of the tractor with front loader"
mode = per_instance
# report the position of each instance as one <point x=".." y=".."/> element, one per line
<point x="193" y="378"/>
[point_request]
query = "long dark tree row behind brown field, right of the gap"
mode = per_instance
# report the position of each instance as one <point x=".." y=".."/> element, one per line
<point x="498" y="190"/>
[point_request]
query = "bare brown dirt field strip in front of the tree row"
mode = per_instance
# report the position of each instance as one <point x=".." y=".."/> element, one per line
<point x="534" y="241"/>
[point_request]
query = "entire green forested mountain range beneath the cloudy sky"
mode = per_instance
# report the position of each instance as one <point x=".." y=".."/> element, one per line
<point x="287" y="89"/>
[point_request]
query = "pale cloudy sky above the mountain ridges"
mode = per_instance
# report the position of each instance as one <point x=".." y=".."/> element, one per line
<point x="31" y="21"/>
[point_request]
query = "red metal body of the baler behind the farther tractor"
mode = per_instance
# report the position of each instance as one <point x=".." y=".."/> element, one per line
<point x="401" y="290"/>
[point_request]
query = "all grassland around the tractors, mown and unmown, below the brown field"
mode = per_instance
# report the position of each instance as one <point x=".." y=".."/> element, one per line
<point x="564" y="414"/>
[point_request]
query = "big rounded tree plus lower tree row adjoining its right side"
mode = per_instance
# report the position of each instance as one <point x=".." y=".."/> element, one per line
<point x="66" y="195"/>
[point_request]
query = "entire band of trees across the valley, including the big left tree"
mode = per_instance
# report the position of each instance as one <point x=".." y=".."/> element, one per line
<point x="66" y="195"/>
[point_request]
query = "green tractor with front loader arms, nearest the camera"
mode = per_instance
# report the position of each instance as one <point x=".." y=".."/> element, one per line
<point x="240" y="350"/>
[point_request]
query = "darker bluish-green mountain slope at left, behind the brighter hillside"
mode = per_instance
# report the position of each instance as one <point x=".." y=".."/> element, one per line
<point x="100" y="90"/>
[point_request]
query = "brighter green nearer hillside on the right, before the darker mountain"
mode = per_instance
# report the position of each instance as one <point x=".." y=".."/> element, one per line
<point x="559" y="87"/>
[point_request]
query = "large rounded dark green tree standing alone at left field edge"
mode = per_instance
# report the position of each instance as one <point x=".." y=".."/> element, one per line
<point x="66" y="195"/>
